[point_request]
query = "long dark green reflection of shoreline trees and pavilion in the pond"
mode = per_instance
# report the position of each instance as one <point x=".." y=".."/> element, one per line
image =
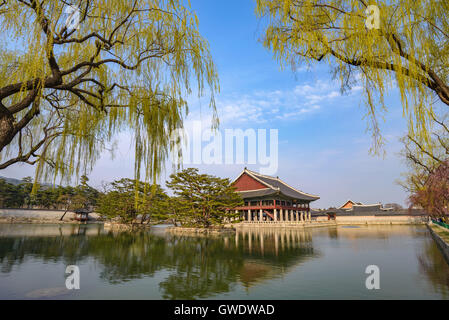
<point x="197" y="267"/>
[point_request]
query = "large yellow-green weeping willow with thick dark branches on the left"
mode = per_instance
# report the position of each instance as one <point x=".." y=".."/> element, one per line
<point x="72" y="78"/>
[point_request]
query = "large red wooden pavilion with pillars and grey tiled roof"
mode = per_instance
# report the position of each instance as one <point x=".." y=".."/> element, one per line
<point x="269" y="199"/>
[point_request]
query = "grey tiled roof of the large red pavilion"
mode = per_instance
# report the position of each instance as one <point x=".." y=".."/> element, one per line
<point x="274" y="185"/>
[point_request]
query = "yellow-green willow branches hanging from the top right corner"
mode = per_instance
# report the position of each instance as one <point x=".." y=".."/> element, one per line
<point x="401" y="44"/>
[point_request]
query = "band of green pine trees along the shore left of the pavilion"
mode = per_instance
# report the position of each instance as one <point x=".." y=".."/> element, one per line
<point x="198" y="200"/>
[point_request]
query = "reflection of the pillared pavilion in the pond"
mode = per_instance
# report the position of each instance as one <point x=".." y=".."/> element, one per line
<point x="270" y="252"/>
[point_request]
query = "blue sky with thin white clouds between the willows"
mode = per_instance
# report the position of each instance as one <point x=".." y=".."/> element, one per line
<point x="323" y="143"/>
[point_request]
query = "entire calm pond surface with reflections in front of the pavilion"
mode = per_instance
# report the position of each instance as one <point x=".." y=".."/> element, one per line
<point x="322" y="263"/>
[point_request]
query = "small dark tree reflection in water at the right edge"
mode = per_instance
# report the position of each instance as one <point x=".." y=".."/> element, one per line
<point x="435" y="267"/>
